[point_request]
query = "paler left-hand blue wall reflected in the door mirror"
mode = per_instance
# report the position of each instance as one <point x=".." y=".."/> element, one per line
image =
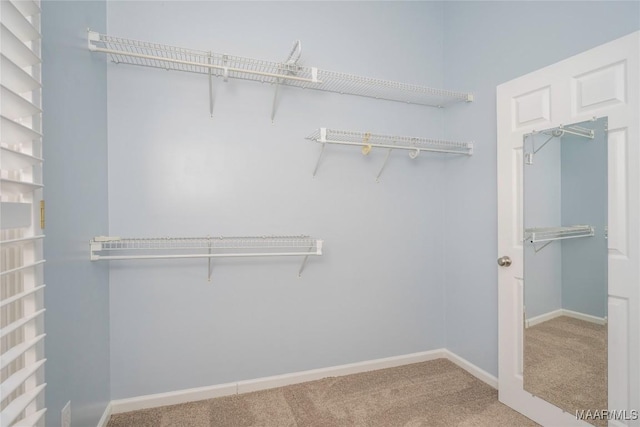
<point x="542" y="208"/>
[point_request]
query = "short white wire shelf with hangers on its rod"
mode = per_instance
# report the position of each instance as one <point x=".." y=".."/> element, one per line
<point x="368" y="141"/>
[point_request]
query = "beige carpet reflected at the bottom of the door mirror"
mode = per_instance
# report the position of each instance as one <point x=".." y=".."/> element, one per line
<point x="565" y="363"/>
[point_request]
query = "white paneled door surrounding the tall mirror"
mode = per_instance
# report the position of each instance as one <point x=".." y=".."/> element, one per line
<point x="602" y="82"/>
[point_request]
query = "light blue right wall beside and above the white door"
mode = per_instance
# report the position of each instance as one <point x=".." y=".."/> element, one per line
<point x="488" y="43"/>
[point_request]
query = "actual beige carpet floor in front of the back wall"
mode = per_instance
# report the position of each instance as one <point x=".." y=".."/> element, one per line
<point x="434" y="393"/>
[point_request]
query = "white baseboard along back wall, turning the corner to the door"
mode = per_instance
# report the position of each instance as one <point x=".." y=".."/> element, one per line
<point x="209" y="392"/>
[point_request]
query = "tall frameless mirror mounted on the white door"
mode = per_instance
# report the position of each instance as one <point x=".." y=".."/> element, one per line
<point x="565" y="266"/>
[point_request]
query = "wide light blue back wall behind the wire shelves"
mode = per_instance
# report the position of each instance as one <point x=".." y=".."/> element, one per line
<point x="173" y="171"/>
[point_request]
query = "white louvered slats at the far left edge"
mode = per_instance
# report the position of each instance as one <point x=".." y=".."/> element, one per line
<point x="21" y="220"/>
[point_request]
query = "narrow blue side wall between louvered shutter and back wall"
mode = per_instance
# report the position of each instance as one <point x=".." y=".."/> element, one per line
<point x="75" y="176"/>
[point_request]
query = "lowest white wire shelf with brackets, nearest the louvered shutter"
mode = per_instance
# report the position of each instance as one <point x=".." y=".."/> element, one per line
<point x="119" y="248"/>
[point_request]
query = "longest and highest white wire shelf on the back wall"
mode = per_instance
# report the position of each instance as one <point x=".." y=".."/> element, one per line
<point x="289" y="73"/>
